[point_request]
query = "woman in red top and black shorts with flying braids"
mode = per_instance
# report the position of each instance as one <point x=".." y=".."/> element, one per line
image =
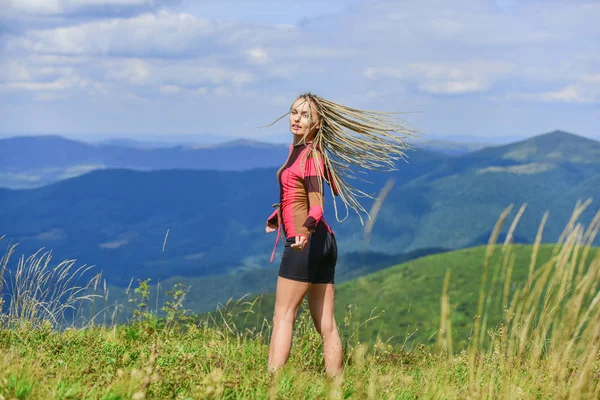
<point x="329" y="138"/>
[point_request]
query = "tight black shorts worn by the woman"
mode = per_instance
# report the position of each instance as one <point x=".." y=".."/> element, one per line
<point x="315" y="263"/>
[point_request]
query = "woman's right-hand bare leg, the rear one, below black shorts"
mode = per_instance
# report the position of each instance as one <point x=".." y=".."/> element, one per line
<point x="321" y="302"/>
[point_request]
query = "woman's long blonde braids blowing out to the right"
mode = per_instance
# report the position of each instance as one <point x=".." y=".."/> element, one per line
<point x="353" y="138"/>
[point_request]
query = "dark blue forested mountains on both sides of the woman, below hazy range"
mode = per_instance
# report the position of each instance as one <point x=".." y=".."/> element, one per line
<point x="118" y="219"/>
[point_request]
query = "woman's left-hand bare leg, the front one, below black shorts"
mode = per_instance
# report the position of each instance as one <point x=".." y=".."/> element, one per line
<point x="288" y="297"/>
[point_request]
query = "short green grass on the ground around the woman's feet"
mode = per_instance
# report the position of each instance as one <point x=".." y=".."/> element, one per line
<point x="204" y="361"/>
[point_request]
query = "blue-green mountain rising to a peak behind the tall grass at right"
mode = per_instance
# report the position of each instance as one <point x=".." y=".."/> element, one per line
<point x="456" y="204"/>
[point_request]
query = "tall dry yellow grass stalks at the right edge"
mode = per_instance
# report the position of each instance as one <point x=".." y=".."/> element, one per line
<point x="551" y="323"/>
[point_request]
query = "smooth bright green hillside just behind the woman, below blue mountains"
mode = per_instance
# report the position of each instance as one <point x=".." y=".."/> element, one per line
<point x="407" y="296"/>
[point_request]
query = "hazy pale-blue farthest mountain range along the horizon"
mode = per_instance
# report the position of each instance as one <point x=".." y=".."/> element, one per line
<point x="34" y="161"/>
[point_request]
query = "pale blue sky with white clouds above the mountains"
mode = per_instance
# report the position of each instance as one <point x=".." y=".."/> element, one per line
<point x="134" y="67"/>
